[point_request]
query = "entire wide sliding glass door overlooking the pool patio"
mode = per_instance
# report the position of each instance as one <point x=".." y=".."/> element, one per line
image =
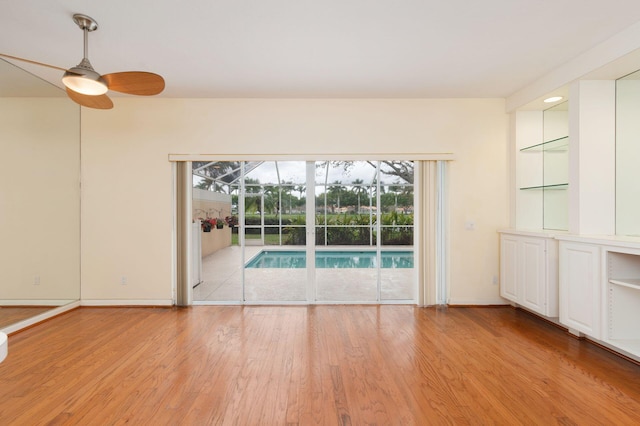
<point x="307" y="232"/>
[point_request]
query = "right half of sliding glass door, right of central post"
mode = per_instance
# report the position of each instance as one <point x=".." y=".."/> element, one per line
<point x="364" y="231"/>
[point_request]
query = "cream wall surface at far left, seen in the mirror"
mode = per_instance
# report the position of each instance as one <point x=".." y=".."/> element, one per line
<point x="39" y="201"/>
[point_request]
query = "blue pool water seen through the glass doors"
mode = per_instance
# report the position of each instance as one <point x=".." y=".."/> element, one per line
<point x="332" y="259"/>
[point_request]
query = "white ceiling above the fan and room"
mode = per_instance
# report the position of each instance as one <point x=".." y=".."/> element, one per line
<point x="318" y="48"/>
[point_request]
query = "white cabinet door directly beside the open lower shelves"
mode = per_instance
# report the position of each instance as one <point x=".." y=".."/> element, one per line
<point x="580" y="287"/>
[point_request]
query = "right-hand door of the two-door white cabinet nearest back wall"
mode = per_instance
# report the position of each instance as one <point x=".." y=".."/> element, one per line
<point x="533" y="274"/>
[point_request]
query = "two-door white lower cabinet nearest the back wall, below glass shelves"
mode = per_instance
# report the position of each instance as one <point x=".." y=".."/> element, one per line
<point x="529" y="271"/>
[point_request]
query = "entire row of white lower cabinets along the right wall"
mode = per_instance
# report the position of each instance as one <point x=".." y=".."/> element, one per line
<point x="592" y="284"/>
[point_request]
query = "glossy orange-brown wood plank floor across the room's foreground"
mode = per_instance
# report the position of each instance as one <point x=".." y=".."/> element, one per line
<point x="269" y="365"/>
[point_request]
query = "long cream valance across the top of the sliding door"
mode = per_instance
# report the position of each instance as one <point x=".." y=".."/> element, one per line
<point x="314" y="157"/>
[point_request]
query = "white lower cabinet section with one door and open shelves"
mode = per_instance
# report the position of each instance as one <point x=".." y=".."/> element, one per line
<point x="600" y="290"/>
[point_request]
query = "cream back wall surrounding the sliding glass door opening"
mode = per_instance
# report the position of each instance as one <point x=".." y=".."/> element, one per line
<point x="127" y="182"/>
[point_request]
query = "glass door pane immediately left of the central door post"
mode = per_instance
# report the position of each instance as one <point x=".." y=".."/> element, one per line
<point x="275" y="271"/>
